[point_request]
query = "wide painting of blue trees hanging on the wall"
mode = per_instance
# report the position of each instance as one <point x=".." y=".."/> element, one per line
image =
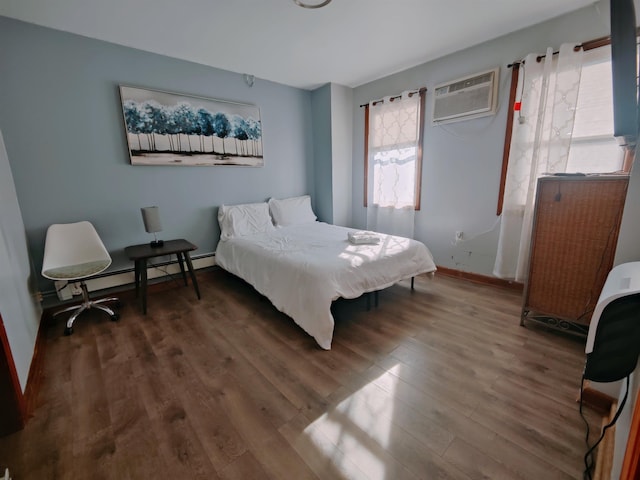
<point x="165" y="128"/>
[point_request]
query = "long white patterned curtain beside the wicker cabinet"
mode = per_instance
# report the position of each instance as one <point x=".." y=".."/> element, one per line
<point x="540" y="143"/>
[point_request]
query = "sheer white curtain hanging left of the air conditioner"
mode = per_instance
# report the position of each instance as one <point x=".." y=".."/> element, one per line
<point x="393" y="156"/>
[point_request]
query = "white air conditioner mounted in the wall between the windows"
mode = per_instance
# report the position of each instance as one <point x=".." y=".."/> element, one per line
<point x="466" y="98"/>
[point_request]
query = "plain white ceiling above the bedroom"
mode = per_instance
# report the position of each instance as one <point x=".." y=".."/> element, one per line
<point x="349" y="42"/>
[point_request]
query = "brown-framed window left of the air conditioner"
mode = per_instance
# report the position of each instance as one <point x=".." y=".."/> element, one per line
<point x="393" y="151"/>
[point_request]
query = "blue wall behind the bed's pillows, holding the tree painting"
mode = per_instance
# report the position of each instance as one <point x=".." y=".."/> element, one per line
<point x="61" y="118"/>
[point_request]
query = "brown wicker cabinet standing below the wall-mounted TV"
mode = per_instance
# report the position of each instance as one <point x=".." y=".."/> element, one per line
<point x="575" y="233"/>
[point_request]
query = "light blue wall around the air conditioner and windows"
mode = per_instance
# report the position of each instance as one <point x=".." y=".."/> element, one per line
<point x="462" y="161"/>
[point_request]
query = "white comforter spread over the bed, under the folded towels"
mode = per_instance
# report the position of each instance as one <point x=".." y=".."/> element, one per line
<point x="303" y="268"/>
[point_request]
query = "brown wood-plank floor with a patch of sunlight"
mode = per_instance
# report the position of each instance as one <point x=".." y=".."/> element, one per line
<point x="438" y="383"/>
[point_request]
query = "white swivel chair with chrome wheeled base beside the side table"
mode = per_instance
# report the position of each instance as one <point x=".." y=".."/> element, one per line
<point x="72" y="252"/>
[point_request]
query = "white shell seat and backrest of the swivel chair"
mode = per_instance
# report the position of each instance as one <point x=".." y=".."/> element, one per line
<point x="73" y="251"/>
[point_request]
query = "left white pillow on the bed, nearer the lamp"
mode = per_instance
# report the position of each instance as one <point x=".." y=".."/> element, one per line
<point x="247" y="219"/>
